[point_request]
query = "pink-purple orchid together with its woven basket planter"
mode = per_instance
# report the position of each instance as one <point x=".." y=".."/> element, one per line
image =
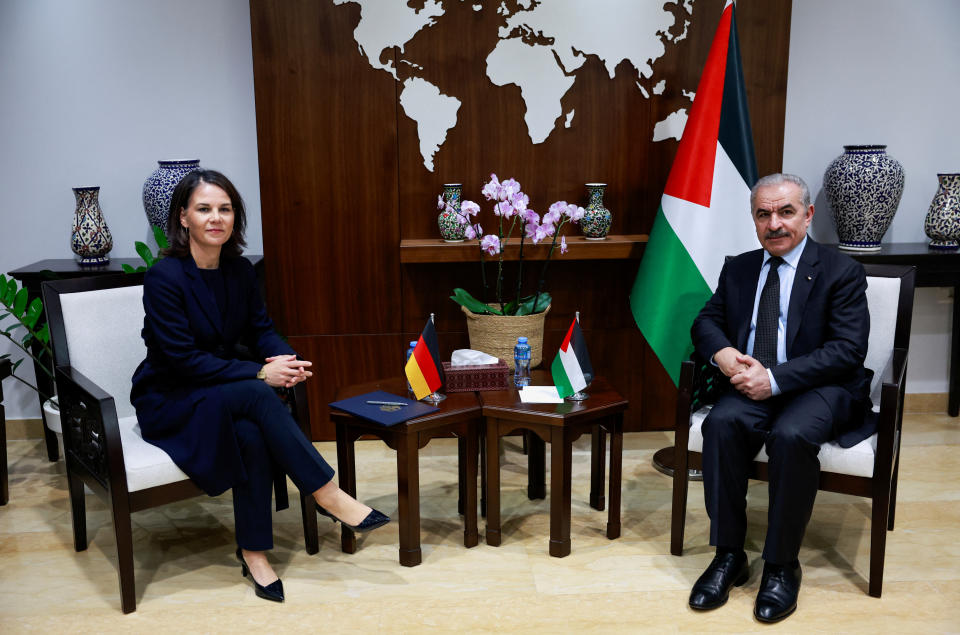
<point x="494" y="325"/>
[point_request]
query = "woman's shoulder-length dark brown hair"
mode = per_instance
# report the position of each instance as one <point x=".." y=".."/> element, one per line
<point x="177" y="234"/>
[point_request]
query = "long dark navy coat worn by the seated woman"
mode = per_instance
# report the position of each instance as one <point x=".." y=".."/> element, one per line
<point x="191" y="350"/>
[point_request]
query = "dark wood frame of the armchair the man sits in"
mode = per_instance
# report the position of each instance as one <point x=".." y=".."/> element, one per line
<point x="698" y="386"/>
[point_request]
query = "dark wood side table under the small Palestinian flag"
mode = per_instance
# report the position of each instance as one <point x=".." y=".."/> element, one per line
<point x="560" y="425"/>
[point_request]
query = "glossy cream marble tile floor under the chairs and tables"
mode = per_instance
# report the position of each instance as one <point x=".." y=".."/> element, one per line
<point x="188" y="581"/>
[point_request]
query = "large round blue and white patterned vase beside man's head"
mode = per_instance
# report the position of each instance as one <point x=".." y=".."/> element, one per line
<point x="863" y="186"/>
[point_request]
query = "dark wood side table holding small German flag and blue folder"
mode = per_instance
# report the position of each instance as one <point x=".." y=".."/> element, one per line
<point x="458" y="414"/>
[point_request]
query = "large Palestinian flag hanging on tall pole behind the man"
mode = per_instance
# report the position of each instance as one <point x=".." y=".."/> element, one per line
<point x="704" y="214"/>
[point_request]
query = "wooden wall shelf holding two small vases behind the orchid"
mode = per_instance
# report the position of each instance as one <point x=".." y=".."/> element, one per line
<point x="619" y="247"/>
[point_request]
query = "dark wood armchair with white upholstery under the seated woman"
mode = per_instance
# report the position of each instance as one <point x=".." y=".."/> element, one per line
<point x="95" y="328"/>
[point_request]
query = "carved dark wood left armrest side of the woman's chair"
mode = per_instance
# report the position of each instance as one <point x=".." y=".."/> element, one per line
<point x="91" y="432"/>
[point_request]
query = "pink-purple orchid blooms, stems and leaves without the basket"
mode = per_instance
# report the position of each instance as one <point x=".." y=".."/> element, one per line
<point x="511" y="207"/>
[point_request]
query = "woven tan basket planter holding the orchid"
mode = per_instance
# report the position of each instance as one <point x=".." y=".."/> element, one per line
<point x="497" y="334"/>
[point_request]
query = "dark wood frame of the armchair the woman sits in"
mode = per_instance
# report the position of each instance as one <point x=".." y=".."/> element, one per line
<point x="93" y="451"/>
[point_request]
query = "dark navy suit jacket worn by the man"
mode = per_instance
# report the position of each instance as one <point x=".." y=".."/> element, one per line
<point x="827" y="328"/>
